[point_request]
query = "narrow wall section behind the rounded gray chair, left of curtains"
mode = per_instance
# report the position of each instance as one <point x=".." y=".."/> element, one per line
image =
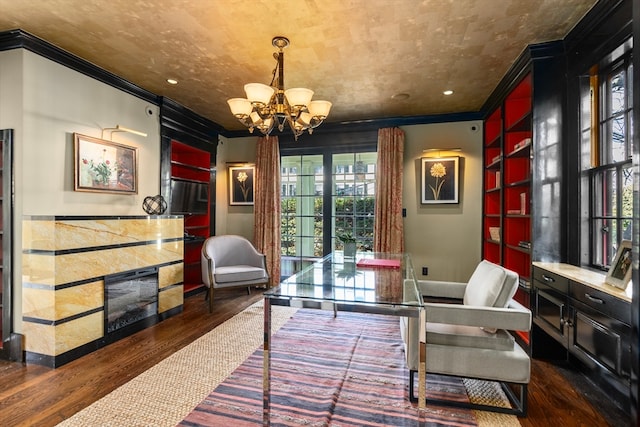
<point x="233" y="219"/>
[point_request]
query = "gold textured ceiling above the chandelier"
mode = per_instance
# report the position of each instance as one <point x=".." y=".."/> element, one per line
<point x="357" y="54"/>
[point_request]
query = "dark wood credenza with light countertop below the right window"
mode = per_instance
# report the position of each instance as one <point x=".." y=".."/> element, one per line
<point x="589" y="319"/>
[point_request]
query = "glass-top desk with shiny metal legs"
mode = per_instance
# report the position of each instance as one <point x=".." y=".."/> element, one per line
<point x="378" y="283"/>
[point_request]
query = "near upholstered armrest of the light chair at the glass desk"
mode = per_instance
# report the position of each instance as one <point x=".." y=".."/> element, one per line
<point x="512" y="319"/>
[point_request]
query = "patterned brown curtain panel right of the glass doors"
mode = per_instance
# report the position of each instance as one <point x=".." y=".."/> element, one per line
<point x="388" y="235"/>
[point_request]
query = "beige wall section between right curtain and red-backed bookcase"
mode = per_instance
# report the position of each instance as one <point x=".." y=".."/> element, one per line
<point x="445" y="238"/>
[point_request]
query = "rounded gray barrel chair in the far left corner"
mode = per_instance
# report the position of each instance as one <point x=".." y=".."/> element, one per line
<point x="231" y="261"/>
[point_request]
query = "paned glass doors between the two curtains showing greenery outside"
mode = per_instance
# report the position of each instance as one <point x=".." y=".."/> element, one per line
<point x="324" y="195"/>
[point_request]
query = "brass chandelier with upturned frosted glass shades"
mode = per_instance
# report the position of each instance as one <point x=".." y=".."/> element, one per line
<point x="267" y="106"/>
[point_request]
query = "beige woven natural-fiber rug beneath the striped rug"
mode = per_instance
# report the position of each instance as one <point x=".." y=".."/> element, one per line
<point x="166" y="394"/>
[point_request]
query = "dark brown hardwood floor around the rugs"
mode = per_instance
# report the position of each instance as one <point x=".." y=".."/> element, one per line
<point x="37" y="396"/>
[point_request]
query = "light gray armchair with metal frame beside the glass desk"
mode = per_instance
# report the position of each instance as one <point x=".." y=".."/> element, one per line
<point x="470" y="335"/>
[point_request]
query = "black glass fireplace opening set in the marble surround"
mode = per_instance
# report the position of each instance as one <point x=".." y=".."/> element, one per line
<point x="130" y="297"/>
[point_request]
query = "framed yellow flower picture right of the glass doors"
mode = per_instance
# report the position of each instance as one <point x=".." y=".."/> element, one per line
<point x="440" y="180"/>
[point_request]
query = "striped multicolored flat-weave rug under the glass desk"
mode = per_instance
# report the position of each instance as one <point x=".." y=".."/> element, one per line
<point x="326" y="371"/>
